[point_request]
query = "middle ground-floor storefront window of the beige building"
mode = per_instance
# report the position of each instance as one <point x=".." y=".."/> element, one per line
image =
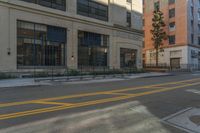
<point x="92" y="49"/>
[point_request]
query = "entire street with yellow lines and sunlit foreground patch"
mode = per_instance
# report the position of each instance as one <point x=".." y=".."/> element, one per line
<point x="23" y="109"/>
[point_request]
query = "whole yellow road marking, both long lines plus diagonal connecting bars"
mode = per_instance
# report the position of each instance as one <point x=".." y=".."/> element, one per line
<point x="64" y="106"/>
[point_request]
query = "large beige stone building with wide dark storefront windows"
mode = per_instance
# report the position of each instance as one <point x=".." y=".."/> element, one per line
<point x="70" y="34"/>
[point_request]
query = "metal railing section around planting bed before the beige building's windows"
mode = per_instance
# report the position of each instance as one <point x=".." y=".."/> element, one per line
<point x="83" y="72"/>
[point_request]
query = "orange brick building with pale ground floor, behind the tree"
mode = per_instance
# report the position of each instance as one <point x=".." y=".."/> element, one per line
<point x="182" y="18"/>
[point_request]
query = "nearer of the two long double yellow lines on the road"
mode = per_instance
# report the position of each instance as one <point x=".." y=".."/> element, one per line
<point x="51" y="109"/>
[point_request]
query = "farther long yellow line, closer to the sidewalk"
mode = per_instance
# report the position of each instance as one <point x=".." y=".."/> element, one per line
<point x="95" y="93"/>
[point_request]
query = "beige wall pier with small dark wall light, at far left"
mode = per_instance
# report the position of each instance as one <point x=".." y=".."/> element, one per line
<point x="7" y="35"/>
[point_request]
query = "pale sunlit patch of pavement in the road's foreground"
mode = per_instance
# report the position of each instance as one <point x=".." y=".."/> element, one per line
<point x="125" y="118"/>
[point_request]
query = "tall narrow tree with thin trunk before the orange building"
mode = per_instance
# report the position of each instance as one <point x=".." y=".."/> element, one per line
<point x="158" y="33"/>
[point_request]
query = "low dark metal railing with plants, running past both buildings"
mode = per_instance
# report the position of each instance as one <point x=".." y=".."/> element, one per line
<point x="84" y="72"/>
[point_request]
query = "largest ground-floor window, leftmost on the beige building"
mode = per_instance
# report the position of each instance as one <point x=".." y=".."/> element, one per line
<point x="40" y="45"/>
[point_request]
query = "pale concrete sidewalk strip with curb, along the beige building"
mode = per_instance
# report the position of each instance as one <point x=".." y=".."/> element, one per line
<point x="73" y="79"/>
